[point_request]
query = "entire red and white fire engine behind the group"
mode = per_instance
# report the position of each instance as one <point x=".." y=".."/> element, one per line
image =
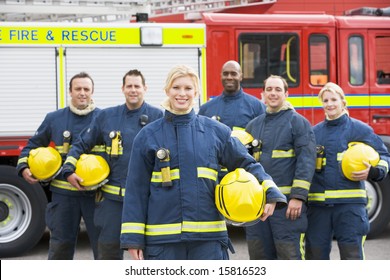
<point x="38" y="59"/>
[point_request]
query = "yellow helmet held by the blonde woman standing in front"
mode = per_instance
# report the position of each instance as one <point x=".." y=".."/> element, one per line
<point x="240" y="198"/>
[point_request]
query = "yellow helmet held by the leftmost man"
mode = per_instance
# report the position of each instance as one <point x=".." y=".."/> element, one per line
<point x="44" y="163"/>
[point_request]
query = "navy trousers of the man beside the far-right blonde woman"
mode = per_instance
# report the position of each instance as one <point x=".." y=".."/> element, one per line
<point x="277" y="237"/>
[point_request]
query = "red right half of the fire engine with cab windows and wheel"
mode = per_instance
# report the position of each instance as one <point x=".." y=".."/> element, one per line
<point x="310" y="50"/>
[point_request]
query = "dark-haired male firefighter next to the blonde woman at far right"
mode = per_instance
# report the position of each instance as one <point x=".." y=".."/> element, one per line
<point x="288" y="154"/>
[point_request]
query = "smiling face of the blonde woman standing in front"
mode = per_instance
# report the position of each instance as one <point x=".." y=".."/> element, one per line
<point x="181" y="94"/>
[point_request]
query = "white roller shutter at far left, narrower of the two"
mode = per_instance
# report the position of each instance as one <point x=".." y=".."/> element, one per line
<point x="28" y="89"/>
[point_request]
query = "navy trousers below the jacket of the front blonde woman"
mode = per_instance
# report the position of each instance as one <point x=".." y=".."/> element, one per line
<point x="191" y="250"/>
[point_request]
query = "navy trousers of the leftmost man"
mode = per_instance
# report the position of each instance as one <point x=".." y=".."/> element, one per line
<point x="63" y="216"/>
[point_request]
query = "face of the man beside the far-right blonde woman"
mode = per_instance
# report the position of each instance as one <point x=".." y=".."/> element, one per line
<point x="274" y="93"/>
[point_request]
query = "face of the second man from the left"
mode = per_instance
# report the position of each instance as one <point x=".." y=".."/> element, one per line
<point x="134" y="91"/>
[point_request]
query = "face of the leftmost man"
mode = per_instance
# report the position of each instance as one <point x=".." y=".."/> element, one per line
<point x="81" y="92"/>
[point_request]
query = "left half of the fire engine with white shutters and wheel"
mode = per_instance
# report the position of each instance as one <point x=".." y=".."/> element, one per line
<point x="37" y="62"/>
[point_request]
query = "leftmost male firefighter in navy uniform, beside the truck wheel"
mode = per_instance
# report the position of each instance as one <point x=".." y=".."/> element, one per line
<point x="68" y="204"/>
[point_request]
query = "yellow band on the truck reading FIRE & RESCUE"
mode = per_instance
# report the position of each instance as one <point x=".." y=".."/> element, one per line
<point x="97" y="35"/>
